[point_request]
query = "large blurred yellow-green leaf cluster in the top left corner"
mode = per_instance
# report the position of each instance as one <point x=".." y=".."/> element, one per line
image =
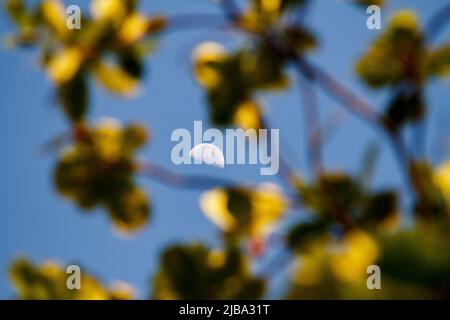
<point x="110" y="46"/>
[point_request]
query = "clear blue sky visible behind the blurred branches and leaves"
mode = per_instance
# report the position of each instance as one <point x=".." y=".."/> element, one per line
<point x="36" y="222"/>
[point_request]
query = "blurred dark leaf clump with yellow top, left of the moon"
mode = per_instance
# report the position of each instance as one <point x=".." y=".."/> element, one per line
<point x="98" y="169"/>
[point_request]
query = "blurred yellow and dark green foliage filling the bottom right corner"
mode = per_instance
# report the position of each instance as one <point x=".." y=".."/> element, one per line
<point x="415" y="264"/>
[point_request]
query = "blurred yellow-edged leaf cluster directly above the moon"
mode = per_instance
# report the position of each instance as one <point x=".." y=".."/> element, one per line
<point x="232" y="78"/>
